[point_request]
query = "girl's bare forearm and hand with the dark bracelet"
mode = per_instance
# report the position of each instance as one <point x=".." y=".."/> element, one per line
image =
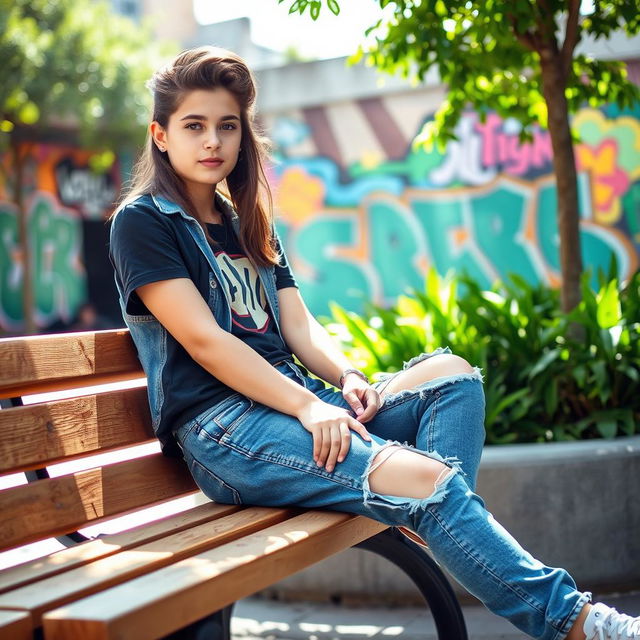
<point x="318" y="352"/>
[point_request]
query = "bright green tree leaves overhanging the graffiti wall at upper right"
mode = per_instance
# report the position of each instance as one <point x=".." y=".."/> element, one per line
<point x="490" y="54"/>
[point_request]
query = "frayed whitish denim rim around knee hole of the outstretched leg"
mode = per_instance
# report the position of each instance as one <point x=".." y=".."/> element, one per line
<point x="383" y="453"/>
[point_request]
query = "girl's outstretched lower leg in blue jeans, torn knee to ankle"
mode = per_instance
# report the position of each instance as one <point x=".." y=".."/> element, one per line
<point x="472" y="546"/>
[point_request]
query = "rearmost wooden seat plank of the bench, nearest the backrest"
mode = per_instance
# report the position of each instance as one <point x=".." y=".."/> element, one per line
<point x="72" y="557"/>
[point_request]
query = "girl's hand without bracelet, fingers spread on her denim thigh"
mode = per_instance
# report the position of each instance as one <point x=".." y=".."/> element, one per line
<point x="331" y="428"/>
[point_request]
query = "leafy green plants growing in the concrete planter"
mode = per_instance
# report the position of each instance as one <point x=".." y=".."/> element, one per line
<point x="540" y="383"/>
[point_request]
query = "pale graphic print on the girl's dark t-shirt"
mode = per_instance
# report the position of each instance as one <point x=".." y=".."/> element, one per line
<point x="248" y="302"/>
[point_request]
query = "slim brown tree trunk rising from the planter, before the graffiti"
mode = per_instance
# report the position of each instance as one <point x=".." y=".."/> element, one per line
<point x="564" y="165"/>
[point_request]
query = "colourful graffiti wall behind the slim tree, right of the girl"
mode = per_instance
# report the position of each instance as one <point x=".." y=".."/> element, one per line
<point x="363" y="215"/>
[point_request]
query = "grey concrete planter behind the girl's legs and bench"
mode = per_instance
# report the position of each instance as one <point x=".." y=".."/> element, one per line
<point x="574" y="505"/>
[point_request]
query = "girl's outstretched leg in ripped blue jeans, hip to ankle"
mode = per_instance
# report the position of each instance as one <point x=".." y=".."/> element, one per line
<point x="246" y="453"/>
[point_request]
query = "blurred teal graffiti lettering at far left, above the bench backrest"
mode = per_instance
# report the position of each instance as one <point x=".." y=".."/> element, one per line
<point x="58" y="276"/>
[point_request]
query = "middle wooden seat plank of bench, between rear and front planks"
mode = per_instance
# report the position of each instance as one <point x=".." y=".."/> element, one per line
<point x="70" y="586"/>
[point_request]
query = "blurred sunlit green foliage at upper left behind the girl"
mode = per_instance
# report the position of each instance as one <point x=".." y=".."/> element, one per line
<point x="73" y="63"/>
